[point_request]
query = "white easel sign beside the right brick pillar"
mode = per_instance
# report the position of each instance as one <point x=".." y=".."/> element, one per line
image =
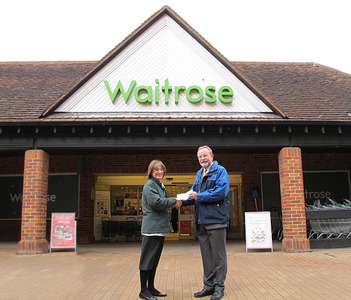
<point x="258" y="231"/>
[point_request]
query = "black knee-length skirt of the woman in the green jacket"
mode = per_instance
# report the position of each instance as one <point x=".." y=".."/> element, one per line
<point x="151" y="249"/>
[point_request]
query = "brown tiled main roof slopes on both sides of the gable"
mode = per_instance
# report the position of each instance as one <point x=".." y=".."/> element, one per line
<point x="303" y="91"/>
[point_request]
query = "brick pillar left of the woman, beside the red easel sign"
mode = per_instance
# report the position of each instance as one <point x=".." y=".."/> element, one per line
<point x="34" y="203"/>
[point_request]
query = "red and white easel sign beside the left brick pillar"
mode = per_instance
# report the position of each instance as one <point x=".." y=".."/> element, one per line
<point x="63" y="231"/>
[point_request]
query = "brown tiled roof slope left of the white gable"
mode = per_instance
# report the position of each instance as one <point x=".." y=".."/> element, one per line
<point x="28" y="88"/>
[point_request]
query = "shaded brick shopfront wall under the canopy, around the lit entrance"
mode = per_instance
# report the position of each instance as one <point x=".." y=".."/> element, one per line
<point x="250" y="164"/>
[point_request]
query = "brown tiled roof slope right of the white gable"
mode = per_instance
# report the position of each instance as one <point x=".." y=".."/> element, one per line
<point x="303" y="91"/>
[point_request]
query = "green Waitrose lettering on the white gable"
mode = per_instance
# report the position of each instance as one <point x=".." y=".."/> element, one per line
<point x="147" y="94"/>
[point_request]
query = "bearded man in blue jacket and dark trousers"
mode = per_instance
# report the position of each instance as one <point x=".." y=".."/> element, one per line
<point x="210" y="196"/>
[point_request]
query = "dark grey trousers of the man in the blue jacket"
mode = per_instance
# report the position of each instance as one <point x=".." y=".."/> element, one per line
<point x="214" y="256"/>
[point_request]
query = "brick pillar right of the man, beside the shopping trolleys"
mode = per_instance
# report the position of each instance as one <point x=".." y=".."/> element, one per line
<point x="293" y="201"/>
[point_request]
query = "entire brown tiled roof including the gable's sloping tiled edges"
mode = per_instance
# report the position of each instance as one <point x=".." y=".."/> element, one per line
<point x="298" y="91"/>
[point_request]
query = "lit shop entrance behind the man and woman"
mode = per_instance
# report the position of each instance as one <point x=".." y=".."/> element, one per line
<point x="122" y="203"/>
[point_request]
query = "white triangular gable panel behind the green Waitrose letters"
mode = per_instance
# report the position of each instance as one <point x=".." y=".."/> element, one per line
<point x="164" y="51"/>
